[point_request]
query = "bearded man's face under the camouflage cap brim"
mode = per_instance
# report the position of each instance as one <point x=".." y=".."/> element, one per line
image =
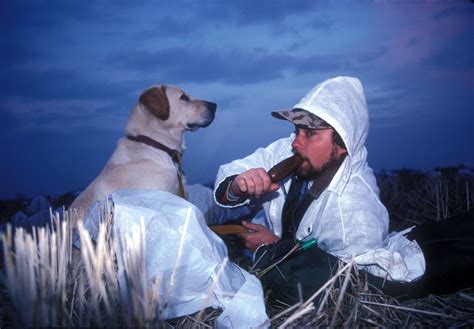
<point x="317" y="149"/>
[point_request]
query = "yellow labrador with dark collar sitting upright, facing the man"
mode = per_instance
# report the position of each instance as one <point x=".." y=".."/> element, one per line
<point x="149" y="157"/>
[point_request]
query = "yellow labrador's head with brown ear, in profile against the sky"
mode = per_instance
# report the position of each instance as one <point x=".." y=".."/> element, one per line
<point x="177" y="108"/>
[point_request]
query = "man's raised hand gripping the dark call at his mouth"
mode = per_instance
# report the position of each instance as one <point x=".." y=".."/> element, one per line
<point x="254" y="183"/>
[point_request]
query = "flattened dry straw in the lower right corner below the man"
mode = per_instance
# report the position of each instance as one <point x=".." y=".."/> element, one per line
<point x="348" y="301"/>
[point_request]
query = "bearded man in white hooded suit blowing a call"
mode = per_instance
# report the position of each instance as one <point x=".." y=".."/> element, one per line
<point x="341" y="208"/>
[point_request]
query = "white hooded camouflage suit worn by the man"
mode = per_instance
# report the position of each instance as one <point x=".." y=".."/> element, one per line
<point x="348" y="220"/>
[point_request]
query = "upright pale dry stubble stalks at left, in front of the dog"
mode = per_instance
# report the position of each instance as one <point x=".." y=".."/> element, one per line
<point x="49" y="283"/>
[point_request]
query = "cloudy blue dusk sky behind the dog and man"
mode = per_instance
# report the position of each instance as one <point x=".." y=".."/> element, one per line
<point x="71" y="71"/>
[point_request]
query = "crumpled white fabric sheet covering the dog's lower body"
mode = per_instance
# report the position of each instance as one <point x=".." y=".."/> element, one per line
<point x="179" y="245"/>
